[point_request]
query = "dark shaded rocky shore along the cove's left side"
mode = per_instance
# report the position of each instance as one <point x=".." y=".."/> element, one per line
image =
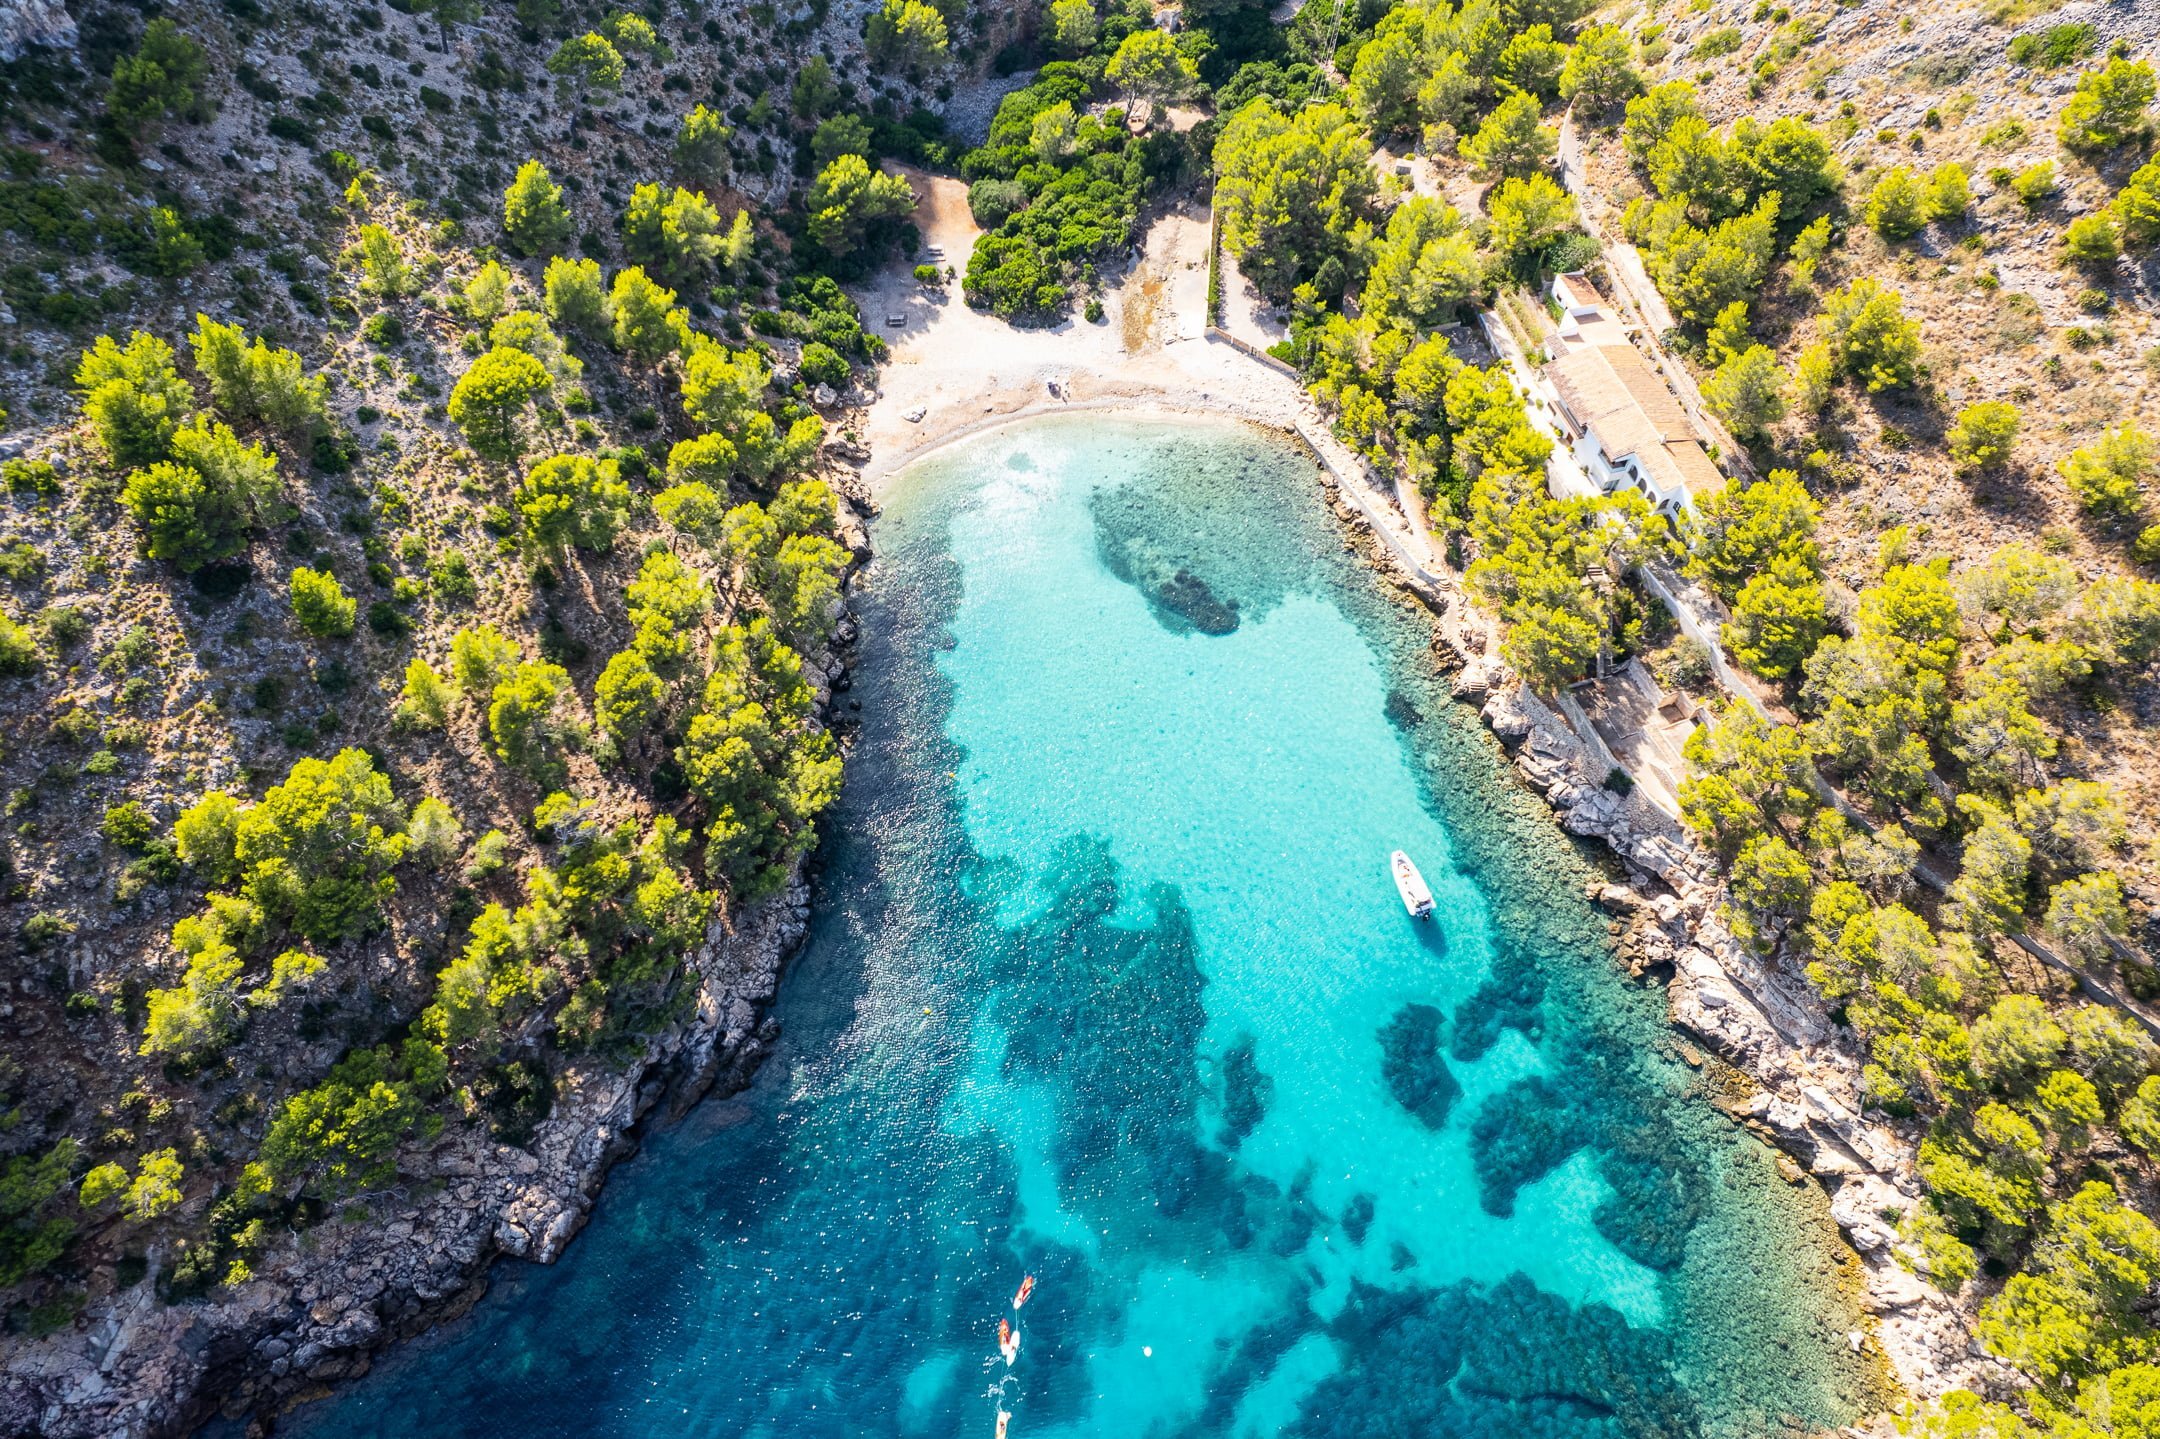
<point x="323" y="1306"/>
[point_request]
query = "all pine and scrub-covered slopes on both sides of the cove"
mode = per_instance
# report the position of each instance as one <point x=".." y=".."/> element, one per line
<point x="418" y="539"/>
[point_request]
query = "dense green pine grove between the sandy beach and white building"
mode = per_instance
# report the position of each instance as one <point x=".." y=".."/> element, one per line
<point x="1377" y="282"/>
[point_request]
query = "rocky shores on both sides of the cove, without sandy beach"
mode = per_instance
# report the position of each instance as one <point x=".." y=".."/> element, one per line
<point x="323" y="1308"/>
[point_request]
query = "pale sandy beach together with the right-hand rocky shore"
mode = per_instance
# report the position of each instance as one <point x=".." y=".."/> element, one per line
<point x="1753" y="1014"/>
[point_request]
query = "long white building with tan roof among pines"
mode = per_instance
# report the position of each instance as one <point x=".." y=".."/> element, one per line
<point x="1623" y="425"/>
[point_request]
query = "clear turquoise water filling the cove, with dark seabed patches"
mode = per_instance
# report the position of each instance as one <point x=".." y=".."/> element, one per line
<point x="1109" y="984"/>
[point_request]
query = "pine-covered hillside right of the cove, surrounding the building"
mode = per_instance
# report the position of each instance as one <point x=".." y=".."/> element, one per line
<point x="1930" y="796"/>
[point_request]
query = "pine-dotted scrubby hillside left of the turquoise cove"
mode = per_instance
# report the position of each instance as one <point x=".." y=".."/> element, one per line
<point x="416" y="630"/>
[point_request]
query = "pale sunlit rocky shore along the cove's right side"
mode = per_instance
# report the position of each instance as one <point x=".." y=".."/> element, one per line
<point x="1757" y="1017"/>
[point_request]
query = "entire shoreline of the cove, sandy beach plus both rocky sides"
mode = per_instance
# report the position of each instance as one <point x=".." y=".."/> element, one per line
<point x="327" y="1308"/>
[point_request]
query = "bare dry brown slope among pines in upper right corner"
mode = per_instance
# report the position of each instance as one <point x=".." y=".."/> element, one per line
<point x="2003" y="317"/>
